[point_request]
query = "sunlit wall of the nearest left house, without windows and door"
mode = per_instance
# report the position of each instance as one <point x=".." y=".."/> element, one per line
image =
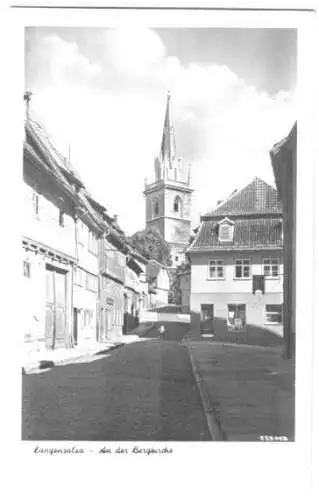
<point x="44" y="228"/>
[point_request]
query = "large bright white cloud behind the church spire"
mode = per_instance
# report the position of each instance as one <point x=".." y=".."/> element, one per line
<point x="111" y="112"/>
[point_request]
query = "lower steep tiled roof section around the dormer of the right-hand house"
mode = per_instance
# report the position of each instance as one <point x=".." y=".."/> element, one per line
<point x="249" y="234"/>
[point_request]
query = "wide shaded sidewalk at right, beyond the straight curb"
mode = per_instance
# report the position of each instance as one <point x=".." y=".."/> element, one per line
<point x="249" y="392"/>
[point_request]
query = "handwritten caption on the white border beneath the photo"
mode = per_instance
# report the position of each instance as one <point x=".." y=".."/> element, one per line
<point x="135" y="450"/>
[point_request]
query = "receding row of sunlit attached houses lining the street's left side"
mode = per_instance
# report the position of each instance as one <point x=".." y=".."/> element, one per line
<point x="80" y="275"/>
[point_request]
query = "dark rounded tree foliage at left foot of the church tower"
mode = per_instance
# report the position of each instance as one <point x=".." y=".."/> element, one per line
<point x="151" y="244"/>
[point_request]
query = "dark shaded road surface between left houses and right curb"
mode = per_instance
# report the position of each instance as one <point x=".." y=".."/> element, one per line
<point x="143" y="391"/>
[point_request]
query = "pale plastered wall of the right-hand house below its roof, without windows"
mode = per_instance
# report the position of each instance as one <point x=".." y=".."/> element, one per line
<point x="234" y="291"/>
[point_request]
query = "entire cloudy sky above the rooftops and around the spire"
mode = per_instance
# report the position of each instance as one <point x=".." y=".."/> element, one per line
<point x="101" y="93"/>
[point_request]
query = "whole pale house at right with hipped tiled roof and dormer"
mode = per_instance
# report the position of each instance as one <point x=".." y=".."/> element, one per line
<point x="237" y="264"/>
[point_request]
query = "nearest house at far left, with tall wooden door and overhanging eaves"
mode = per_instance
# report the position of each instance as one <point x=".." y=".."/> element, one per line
<point x="48" y="228"/>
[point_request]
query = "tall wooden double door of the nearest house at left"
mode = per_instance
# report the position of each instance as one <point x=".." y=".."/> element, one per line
<point x="55" y="317"/>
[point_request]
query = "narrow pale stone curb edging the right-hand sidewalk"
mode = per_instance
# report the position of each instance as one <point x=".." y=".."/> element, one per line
<point x="214" y="428"/>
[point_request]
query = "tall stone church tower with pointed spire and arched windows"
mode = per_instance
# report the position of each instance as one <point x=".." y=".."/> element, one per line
<point x="168" y="199"/>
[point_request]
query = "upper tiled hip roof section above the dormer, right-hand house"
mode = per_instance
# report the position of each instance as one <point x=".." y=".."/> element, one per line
<point x="255" y="198"/>
